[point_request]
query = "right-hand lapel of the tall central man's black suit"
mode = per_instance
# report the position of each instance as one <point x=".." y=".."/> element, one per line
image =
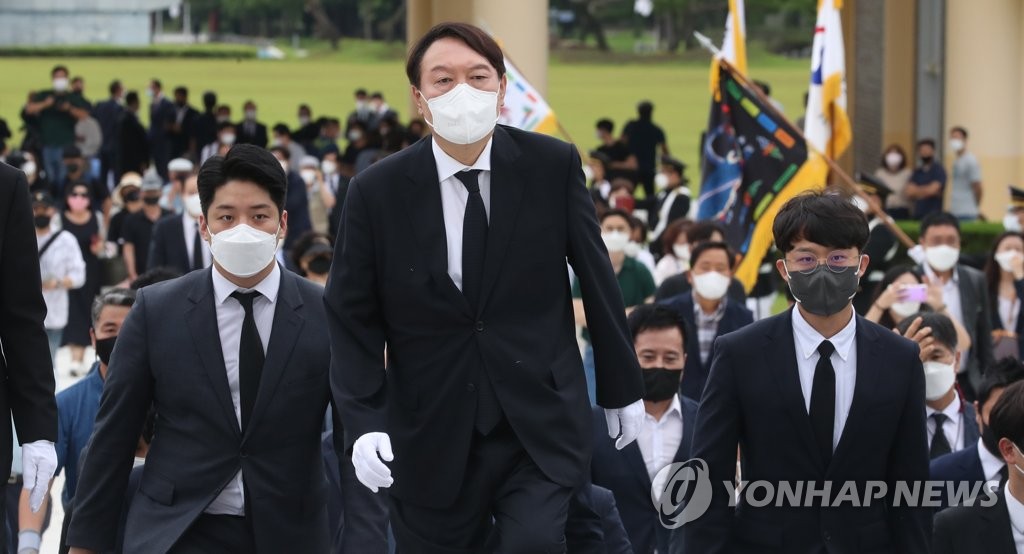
<point x="506" y="194"/>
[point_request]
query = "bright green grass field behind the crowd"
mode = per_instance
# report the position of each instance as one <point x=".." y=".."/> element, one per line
<point x="580" y="92"/>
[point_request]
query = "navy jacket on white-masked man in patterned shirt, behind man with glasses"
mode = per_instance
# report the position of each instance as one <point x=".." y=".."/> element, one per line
<point x="696" y="372"/>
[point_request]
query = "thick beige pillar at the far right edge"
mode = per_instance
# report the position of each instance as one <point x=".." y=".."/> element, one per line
<point x="985" y="82"/>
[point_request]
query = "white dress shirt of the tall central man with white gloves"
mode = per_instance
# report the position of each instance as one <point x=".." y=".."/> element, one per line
<point x="454" y="200"/>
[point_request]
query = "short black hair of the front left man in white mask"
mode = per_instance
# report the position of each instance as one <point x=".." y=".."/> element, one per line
<point x="247" y="163"/>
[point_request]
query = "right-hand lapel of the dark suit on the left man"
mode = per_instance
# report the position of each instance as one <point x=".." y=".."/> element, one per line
<point x="288" y="322"/>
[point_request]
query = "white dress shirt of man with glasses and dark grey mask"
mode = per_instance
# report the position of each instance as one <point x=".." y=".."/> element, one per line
<point x="844" y="362"/>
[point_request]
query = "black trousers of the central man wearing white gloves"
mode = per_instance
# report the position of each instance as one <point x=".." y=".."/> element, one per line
<point x="506" y="505"/>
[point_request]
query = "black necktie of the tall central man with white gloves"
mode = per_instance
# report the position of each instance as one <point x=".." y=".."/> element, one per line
<point x="475" y="247"/>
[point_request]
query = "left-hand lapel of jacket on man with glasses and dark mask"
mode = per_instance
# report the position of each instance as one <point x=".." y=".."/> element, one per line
<point x="780" y="347"/>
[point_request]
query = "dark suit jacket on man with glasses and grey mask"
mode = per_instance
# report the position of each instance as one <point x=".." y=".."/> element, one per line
<point x="753" y="400"/>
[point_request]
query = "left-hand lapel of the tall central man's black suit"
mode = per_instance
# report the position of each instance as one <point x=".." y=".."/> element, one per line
<point x="423" y="205"/>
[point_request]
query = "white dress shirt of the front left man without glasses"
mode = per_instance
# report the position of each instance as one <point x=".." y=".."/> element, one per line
<point x="230" y="319"/>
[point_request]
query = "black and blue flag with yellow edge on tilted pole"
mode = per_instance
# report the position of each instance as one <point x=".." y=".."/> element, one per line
<point x="753" y="162"/>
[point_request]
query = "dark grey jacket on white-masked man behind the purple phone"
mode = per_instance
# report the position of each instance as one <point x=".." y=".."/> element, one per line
<point x="978" y="323"/>
